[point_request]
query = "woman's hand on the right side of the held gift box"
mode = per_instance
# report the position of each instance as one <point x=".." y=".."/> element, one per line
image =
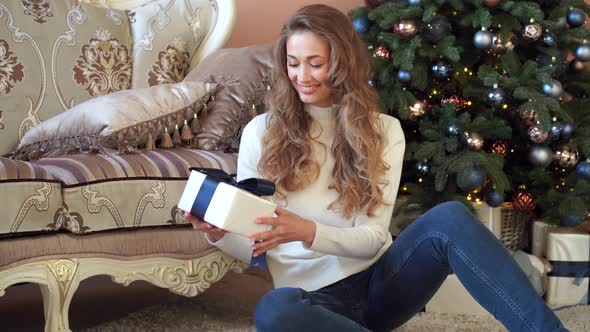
<point x="286" y="227"/>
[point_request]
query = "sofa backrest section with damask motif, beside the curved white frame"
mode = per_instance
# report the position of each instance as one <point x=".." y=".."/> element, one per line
<point x="166" y="35"/>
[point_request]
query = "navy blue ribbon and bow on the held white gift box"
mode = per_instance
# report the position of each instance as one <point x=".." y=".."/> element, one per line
<point x="213" y="177"/>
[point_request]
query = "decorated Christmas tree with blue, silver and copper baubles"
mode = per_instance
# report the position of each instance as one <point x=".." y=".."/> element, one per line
<point x="494" y="99"/>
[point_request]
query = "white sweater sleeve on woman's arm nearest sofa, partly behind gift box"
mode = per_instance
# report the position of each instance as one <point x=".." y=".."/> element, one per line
<point x="236" y="245"/>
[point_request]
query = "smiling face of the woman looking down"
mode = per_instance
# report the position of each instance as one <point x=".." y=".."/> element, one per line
<point x="308" y="63"/>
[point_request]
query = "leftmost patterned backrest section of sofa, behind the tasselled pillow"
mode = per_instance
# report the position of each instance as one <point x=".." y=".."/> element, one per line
<point x="54" y="55"/>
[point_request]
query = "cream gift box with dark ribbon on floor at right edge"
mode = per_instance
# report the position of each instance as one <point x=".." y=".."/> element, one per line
<point x="568" y="252"/>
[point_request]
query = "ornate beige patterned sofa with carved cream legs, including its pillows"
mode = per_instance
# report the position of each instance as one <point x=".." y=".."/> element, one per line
<point x="104" y="106"/>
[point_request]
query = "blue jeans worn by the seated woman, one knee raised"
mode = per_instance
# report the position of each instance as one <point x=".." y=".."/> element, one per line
<point x="447" y="238"/>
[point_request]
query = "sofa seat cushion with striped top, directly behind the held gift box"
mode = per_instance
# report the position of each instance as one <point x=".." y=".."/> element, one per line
<point x="118" y="191"/>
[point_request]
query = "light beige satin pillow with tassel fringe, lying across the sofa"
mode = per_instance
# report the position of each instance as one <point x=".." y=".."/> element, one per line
<point x="126" y="117"/>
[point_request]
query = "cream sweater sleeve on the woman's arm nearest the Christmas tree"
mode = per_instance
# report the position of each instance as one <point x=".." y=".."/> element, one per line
<point x="368" y="234"/>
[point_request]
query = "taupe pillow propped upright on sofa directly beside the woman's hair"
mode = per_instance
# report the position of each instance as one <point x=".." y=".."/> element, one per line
<point x="243" y="77"/>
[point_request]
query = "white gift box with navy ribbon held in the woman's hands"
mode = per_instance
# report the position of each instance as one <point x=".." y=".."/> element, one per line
<point x="217" y="198"/>
